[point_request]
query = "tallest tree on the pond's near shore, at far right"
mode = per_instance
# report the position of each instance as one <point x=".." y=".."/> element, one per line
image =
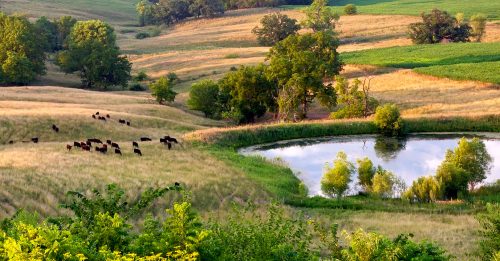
<point x="473" y="158"/>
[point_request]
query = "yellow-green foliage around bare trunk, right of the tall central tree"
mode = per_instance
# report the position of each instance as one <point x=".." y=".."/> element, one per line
<point x="353" y="103"/>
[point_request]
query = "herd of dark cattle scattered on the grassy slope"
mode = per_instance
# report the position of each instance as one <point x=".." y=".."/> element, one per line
<point x="102" y="147"/>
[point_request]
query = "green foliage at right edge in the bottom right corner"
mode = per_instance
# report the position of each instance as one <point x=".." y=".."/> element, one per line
<point x="490" y="224"/>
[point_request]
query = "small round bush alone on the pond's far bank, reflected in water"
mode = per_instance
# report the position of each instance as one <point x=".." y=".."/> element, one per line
<point x="388" y="119"/>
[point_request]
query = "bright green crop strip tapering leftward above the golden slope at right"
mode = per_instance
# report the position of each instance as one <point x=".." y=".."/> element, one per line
<point x="461" y="61"/>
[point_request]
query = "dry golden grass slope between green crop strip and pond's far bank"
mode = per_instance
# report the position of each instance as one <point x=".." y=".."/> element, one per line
<point x="421" y="95"/>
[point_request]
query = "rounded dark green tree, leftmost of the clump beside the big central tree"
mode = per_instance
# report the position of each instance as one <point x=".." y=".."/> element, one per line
<point x="203" y="97"/>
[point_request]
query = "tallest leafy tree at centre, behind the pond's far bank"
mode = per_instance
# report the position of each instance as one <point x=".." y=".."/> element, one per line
<point x="298" y="65"/>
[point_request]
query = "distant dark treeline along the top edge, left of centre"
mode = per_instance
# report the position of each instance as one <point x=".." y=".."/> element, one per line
<point x="173" y="11"/>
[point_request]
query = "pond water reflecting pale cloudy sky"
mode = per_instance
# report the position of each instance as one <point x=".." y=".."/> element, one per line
<point x="408" y="158"/>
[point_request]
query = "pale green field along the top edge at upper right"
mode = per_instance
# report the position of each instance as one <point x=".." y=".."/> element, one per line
<point x="413" y="7"/>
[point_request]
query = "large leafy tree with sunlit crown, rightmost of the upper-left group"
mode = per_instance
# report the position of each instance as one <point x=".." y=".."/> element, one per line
<point x="92" y="51"/>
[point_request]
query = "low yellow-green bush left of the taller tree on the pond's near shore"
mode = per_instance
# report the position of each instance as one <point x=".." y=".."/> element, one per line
<point x="424" y="190"/>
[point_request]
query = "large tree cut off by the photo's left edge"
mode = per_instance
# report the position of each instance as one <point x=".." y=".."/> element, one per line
<point x="22" y="56"/>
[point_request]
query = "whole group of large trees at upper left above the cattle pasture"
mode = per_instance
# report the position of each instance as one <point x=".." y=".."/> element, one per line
<point x="86" y="47"/>
